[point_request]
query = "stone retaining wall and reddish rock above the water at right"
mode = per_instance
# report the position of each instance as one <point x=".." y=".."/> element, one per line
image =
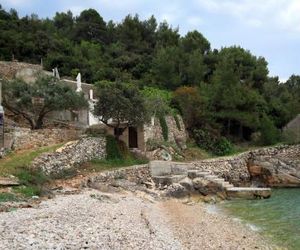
<point x="274" y="166"/>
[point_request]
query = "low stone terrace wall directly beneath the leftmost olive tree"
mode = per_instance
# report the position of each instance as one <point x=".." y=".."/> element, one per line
<point x="24" y="138"/>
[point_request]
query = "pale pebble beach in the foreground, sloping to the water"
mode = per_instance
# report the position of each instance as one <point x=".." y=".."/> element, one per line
<point x="95" y="220"/>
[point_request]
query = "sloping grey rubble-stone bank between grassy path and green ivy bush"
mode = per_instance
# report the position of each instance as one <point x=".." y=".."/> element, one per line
<point x="71" y="155"/>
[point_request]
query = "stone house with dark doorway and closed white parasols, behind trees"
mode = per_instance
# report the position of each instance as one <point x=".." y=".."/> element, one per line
<point x="134" y="137"/>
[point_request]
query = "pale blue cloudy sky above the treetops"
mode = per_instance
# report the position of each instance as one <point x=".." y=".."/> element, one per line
<point x="268" y="28"/>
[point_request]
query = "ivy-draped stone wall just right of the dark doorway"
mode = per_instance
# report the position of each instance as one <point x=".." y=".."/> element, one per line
<point x="153" y="131"/>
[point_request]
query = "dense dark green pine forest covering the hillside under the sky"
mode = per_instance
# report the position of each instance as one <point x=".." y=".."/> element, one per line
<point x="224" y="92"/>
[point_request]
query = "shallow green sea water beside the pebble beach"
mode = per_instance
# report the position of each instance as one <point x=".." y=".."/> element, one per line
<point x="277" y="218"/>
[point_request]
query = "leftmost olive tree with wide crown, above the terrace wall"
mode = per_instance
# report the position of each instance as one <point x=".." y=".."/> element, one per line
<point x="34" y="102"/>
